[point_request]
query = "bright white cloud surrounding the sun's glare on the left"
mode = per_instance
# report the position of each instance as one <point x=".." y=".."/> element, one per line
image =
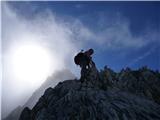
<point x="44" y="30"/>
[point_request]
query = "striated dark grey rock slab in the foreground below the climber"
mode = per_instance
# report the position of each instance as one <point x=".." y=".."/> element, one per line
<point x="67" y="101"/>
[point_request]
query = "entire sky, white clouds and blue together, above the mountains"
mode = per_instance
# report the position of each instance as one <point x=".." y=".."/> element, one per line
<point x="122" y="34"/>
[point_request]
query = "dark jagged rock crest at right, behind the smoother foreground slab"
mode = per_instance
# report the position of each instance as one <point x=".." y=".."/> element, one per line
<point x="143" y="82"/>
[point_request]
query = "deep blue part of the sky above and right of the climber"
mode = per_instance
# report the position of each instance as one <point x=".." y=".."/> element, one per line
<point x="141" y="20"/>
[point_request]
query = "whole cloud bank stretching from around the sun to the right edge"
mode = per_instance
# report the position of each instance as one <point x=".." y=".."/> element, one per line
<point x="63" y="38"/>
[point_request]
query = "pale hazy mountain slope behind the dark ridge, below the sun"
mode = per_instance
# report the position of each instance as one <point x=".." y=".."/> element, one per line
<point x="50" y="82"/>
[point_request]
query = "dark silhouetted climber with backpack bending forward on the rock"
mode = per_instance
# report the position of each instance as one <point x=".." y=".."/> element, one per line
<point x="84" y="60"/>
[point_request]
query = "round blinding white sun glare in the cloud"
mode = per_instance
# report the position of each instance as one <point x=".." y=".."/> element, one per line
<point x="31" y="64"/>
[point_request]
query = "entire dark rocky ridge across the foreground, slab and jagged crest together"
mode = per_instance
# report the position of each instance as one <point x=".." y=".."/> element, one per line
<point x="111" y="97"/>
